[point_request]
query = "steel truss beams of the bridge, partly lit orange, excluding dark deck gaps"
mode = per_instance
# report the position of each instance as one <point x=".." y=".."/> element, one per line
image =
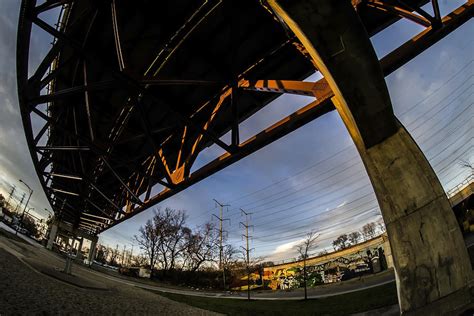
<point x="93" y="187"/>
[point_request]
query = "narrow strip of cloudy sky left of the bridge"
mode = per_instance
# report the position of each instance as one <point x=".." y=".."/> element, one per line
<point x="15" y="160"/>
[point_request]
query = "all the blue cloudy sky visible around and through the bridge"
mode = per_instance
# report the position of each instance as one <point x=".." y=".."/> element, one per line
<point x="313" y="178"/>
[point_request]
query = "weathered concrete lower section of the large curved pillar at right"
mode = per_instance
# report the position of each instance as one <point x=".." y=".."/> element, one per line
<point x="430" y="257"/>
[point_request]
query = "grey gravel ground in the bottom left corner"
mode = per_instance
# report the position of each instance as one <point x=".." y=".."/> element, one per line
<point x="23" y="290"/>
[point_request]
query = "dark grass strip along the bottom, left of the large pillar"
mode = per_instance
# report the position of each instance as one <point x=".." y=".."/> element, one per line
<point x="360" y="301"/>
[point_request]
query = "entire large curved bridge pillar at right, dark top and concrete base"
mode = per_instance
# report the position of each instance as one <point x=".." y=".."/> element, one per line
<point x="432" y="267"/>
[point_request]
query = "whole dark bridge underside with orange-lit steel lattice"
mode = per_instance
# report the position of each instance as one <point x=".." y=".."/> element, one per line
<point x="131" y="92"/>
